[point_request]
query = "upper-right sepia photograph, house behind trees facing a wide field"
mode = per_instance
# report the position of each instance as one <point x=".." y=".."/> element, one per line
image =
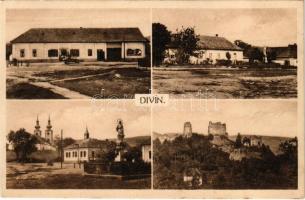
<point x="227" y="53"/>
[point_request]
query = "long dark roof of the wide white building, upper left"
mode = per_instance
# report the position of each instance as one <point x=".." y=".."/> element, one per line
<point x="80" y="35"/>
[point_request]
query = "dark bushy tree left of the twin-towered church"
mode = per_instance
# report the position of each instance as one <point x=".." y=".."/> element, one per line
<point x="23" y="143"/>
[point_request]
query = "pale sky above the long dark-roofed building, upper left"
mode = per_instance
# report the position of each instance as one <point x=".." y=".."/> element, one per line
<point x="20" y="20"/>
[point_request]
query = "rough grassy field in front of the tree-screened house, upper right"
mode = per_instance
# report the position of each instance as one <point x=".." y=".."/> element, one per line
<point x="228" y="83"/>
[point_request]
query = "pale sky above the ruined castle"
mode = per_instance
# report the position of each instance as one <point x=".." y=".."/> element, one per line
<point x="261" y="117"/>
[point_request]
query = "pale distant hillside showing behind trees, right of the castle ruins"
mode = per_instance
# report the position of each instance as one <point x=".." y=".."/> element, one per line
<point x="272" y="141"/>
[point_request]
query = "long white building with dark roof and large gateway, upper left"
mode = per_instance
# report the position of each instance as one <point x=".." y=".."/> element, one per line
<point x="92" y="44"/>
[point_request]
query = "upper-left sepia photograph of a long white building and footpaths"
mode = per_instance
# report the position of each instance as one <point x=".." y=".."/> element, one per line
<point x="97" y="53"/>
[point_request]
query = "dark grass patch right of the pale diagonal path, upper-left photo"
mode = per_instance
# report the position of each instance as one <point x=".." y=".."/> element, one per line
<point x="130" y="81"/>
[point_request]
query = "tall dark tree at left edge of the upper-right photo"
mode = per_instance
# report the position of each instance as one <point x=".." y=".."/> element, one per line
<point x="161" y="38"/>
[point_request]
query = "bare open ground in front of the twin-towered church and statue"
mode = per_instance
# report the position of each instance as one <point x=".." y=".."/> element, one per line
<point x="41" y="176"/>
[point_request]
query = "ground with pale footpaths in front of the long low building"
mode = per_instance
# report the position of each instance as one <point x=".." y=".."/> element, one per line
<point x="57" y="80"/>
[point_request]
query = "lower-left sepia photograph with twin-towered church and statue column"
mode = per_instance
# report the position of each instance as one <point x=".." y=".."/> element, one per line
<point x="77" y="145"/>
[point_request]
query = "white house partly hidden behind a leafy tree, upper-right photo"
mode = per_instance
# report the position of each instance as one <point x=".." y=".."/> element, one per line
<point x="210" y="49"/>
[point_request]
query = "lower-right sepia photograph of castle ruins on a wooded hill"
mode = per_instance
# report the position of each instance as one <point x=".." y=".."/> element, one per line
<point x="235" y="145"/>
